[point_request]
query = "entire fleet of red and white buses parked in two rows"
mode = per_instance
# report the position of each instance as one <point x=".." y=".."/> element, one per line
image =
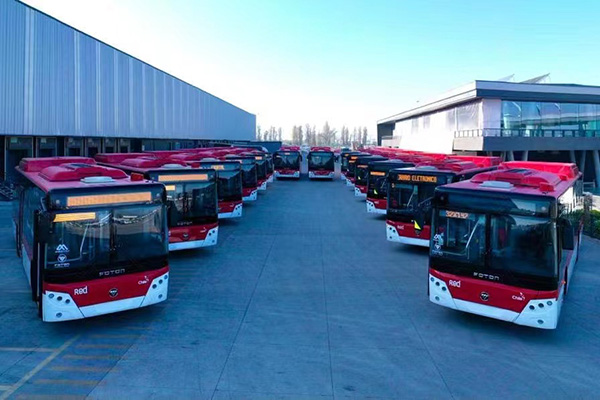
<point x="94" y="234"/>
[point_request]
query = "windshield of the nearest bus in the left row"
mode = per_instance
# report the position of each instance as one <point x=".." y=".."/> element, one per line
<point x="131" y="238"/>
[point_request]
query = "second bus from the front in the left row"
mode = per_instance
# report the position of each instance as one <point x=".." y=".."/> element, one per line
<point x="191" y="197"/>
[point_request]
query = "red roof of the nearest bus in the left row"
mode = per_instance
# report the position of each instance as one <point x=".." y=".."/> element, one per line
<point x="50" y="173"/>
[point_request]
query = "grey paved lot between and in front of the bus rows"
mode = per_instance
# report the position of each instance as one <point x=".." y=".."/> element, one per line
<point x="302" y="298"/>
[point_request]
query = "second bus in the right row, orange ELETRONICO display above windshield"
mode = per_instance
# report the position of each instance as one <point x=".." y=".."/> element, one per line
<point x="410" y="191"/>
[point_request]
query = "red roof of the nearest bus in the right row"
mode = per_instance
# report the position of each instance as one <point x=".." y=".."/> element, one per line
<point x="524" y="177"/>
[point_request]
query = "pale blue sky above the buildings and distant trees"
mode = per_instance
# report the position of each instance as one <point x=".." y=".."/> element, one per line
<point x="349" y="62"/>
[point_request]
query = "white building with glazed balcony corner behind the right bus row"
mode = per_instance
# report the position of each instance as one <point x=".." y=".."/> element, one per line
<point x="518" y="121"/>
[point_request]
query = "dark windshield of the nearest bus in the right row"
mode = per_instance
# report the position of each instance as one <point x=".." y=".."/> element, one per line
<point x="512" y="249"/>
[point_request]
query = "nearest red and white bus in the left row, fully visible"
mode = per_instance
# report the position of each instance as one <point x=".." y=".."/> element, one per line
<point x="93" y="240"/>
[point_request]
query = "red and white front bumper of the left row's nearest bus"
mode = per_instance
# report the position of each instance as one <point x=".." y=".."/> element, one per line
<point x="59" y="301"/>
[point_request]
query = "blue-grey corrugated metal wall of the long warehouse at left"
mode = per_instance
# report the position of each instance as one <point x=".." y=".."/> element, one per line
<point x="54" y="80"/>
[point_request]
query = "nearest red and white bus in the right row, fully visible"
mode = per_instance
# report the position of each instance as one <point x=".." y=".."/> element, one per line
<point x="505" y="243"/>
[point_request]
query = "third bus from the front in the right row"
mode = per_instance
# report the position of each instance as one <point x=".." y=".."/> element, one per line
<point x="377" y="183"/>
